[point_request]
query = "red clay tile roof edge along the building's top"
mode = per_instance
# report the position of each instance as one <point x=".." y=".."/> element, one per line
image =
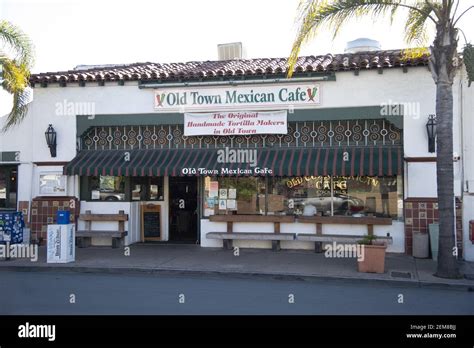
<point x="229" y="69"/>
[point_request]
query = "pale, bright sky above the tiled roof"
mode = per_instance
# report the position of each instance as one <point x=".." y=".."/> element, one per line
<point x="74" y="32"/>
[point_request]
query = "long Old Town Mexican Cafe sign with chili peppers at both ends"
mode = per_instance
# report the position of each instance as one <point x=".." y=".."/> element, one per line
<point x="253" y="97"/>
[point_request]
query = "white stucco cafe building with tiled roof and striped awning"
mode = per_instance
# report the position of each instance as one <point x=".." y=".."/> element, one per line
<point x="195" y="152"/>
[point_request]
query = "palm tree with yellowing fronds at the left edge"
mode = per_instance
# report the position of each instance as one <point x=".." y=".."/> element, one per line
<point x="15" y="64"/>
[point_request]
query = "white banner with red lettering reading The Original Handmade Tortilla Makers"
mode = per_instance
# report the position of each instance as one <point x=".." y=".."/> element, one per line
<point x="235" y="123"/>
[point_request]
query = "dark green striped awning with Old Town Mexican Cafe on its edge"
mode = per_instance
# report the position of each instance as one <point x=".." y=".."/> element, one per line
<point x="291" y="161"/>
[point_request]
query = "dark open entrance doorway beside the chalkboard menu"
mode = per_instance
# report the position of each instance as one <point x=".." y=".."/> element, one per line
<point x="183" y="209"/>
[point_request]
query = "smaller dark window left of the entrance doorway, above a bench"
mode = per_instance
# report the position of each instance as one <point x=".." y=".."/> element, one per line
<point x="121" y="188"/>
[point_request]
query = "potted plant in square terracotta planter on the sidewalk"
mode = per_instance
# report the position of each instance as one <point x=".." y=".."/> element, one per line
<point x="372" y="259"/>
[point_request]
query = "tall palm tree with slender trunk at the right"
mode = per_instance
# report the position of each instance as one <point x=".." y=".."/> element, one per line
<point x="315" y="14"/>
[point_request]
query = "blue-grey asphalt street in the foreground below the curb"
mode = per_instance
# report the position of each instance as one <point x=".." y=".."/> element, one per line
<point x="63" y="292"/>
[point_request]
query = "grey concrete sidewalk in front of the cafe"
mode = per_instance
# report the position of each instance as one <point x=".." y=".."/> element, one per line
<point x="190" y="259"/>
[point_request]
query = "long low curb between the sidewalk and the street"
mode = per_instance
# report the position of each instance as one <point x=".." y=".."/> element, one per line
<point x="240" y="274"/>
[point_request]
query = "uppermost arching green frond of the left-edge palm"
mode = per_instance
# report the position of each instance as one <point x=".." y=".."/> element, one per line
<point x="18" y="41"/>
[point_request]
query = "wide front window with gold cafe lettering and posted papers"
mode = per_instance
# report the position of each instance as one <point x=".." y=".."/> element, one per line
<point x="309" y="195"/>
